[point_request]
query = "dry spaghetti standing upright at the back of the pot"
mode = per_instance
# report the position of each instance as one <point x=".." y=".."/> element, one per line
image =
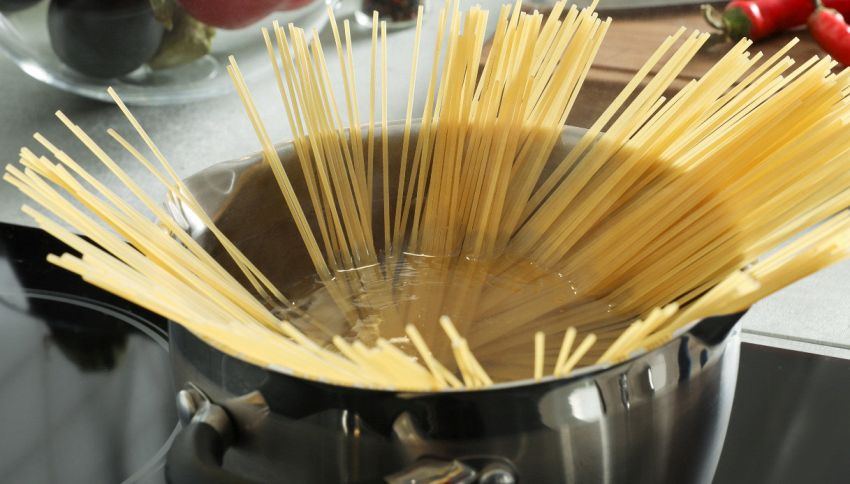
<point x="459" y="108"/>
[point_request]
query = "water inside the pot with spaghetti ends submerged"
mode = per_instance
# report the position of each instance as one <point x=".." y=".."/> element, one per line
<point x="497" y="305"/>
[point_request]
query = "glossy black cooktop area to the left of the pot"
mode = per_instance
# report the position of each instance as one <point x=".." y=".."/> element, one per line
<point x="85" y="386"/>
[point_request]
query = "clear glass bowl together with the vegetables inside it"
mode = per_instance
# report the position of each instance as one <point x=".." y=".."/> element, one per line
<point x="152" y="51"/>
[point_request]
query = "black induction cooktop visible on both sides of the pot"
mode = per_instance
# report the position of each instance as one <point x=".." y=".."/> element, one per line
<point x="86" y="394"/>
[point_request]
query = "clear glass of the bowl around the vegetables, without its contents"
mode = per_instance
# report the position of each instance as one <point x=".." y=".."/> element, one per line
<point x="24" y="37"/>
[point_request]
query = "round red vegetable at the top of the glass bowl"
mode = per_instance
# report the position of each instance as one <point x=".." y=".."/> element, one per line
<point x="234" y="14"/>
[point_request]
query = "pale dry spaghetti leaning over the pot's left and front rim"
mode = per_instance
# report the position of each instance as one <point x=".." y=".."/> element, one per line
<point x="131" y="256"/>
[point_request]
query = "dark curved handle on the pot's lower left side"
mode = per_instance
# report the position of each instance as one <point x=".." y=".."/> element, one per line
<point x="198" y="450"/>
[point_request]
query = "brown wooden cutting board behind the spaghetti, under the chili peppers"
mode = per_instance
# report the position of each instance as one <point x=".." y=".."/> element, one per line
<point x="633" y="37"/>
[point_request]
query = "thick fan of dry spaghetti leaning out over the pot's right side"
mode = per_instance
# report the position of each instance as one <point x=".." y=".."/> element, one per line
<point x="640" y="232"/>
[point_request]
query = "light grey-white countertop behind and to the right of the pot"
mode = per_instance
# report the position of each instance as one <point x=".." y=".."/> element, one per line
<point x="193" y="136"/>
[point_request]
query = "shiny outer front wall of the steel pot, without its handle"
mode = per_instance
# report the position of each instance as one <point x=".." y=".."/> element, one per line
<point x="659" y="418"/>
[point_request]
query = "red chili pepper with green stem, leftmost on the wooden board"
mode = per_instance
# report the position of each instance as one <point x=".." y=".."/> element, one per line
<point x="757" y="19"/>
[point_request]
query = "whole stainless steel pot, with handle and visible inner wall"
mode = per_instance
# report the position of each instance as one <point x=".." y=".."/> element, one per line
<point x="660" y="417"/>
